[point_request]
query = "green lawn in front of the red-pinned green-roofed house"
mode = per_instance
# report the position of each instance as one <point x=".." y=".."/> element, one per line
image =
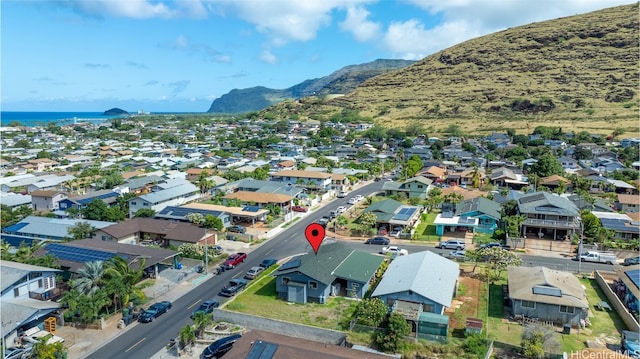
<point x="260" y="299"/>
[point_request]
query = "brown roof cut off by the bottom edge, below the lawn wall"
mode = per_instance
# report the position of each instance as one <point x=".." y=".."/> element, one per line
<point x="290" y="347"/>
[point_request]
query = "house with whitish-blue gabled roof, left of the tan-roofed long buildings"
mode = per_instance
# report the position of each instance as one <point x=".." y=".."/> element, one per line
<point x="181" y="192"/>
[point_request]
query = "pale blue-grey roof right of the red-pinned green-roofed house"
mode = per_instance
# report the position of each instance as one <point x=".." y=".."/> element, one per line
<point x="425" y="273"/>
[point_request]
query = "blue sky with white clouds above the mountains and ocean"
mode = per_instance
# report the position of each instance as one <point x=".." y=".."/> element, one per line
<point x="178" y="56"/>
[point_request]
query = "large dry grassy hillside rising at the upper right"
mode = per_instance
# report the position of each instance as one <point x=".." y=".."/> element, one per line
<point x="578" y="67"/>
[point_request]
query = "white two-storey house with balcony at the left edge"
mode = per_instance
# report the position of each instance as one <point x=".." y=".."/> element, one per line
<point x="25" y="296"/>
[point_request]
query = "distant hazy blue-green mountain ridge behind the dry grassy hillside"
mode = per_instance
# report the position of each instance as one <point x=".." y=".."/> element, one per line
<point x="339" y="82"/>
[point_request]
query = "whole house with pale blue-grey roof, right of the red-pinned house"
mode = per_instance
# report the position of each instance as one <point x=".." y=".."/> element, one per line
<point x="420" y="286"/>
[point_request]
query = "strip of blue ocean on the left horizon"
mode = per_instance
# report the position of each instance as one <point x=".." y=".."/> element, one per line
<point x="32" y="119"/>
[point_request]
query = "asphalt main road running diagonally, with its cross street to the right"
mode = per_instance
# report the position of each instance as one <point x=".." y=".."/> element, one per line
<point x="146" y="339"/>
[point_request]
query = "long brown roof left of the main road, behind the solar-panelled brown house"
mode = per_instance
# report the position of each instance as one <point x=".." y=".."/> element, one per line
<point x="184" y="232"/>
